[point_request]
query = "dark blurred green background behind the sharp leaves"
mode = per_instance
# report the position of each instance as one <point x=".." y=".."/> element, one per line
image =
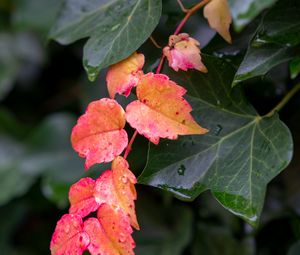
<point x="43" y="89"/>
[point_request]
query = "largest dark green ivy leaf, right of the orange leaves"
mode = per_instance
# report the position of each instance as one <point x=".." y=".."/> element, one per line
<point x="235" y="160"/>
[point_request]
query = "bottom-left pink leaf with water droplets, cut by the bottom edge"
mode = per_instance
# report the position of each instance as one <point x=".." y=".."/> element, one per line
<point x="69" y="237"/>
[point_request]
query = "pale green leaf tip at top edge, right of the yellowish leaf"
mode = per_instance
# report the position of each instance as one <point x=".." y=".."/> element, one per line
<point x="243" y="12"/>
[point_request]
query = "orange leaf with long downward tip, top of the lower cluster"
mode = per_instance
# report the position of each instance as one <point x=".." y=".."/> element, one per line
<point x="116" y="188"/>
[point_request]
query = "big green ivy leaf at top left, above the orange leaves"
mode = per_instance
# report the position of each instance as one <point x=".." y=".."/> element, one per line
<point x="115" y="28"/>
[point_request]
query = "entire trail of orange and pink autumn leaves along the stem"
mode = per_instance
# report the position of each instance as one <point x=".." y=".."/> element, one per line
<point x="160" y="111"/>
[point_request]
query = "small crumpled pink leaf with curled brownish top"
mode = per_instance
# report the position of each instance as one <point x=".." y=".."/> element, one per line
<point x="183" y="53"/>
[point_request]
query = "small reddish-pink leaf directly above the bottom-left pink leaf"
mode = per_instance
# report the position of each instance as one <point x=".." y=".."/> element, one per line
<point x="81" y="196"/>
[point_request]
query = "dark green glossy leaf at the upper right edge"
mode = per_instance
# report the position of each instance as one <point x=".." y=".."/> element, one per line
<point x="277" y="40"/>
